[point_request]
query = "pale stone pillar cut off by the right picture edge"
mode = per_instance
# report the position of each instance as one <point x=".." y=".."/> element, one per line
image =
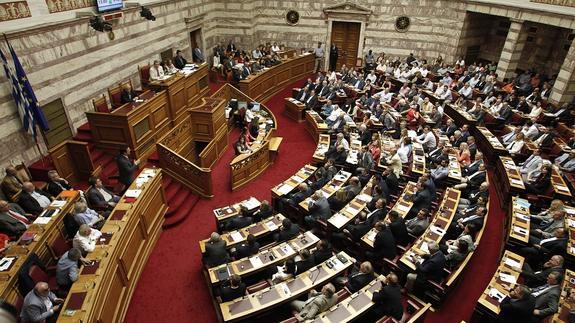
<point x="564" y="87"/>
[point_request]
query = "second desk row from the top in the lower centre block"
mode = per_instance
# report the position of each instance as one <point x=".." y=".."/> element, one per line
<point x="258" y="229"/>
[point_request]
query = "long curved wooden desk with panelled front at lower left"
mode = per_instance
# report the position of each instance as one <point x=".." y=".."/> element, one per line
<point x="135" y="226"/>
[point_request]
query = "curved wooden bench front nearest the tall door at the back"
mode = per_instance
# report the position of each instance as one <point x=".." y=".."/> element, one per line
<point x="264" y="85"/>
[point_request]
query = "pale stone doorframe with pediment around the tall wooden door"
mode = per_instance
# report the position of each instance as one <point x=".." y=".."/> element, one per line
<point x="346" y="12"/>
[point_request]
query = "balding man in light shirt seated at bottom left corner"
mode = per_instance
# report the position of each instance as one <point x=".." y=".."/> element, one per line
<point x="40" y="304"/>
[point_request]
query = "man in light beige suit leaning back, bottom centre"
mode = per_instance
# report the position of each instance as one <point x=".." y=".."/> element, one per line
<point x="315" y="304"/>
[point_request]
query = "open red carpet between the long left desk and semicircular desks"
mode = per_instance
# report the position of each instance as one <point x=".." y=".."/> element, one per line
<point x="172" y="288"/>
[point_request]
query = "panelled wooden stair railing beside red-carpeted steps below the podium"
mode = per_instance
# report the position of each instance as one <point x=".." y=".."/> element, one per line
<point x="196" y="178"/>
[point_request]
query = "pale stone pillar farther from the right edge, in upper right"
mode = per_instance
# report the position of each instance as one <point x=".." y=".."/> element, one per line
<point x="512" y="49"/>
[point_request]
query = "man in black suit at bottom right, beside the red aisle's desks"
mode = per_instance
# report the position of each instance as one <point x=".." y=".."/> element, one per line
<point x="518" y="306"/>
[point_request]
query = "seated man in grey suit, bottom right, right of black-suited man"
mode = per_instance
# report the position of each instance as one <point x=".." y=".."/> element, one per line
<point x="547" y="296"/>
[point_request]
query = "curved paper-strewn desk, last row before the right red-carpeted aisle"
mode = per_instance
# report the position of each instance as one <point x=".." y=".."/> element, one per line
<point x="436" y="229"/>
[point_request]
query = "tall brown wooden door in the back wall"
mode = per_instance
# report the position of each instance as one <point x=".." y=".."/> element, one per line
<point x="345" y="35"/>
